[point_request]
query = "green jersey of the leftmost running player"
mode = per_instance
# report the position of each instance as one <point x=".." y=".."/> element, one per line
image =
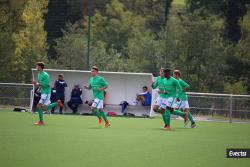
<point x="44" y="82"/>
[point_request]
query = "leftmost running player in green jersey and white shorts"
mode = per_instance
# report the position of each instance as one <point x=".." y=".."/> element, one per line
<point x="44" y="87"/>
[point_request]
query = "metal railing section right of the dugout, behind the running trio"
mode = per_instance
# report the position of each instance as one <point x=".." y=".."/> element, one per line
<point x="226" y="107"/>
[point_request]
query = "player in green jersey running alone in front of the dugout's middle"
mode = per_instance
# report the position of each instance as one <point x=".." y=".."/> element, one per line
<point x="98" y="85"/>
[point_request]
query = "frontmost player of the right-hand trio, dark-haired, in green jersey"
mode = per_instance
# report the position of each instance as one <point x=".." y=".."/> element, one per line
<point x="172" y="89"/>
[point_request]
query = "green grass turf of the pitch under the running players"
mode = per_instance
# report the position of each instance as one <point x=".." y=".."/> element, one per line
<point x="73" y="141"/>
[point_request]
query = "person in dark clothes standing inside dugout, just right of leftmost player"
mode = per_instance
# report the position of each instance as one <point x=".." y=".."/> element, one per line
<point x="60" y="85"/>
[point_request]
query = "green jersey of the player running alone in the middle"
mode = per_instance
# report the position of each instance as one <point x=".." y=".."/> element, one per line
<point x="95" y="83"/>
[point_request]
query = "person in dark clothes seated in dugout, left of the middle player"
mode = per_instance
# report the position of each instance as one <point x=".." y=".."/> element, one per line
<point x="75" y="99"/>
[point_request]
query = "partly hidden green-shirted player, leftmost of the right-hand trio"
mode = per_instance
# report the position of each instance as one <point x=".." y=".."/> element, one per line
<point x="160" y="104"/>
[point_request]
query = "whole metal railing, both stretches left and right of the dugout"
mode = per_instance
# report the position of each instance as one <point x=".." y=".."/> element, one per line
<point x="205" y="106"/>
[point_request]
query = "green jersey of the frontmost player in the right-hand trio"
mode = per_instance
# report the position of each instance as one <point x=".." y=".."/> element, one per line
<point x="172" y="87"/>
